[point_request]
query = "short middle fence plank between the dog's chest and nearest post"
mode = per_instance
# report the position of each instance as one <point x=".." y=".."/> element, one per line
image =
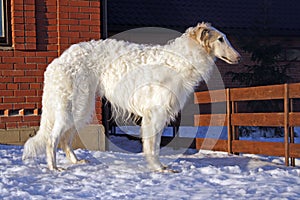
<point x="210" y="120"/>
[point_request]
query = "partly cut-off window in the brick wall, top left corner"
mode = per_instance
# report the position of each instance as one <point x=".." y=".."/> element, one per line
<point x="5" y="23"/>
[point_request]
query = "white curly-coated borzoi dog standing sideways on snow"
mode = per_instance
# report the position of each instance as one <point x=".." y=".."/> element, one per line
<point x="152" y="82"/>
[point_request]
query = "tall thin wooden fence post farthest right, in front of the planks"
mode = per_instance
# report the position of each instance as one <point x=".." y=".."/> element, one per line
<point x="286" y="124"/>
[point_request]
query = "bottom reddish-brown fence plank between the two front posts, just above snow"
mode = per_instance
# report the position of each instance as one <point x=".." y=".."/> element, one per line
<point x="256" y="147"/>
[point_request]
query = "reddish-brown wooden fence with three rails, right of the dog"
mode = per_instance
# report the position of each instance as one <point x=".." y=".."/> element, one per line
<point x="288" y="118"/>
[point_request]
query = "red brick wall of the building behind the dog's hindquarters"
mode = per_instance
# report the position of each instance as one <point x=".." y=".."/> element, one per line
<point x="41" y="31"/>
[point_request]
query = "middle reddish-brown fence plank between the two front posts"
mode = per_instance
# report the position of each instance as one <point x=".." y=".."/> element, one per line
<point x="257" y="119"/>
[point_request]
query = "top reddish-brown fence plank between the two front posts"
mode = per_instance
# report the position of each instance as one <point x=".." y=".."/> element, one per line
<point x="257" y="93"/>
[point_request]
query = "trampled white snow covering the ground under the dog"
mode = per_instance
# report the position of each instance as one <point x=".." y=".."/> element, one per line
<point x="123" y="175"/>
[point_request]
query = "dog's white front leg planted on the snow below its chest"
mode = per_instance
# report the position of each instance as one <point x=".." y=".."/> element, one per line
<point x="152" y="126"/>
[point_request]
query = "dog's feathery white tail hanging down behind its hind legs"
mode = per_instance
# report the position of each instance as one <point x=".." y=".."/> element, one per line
<point x="36" y="145"/>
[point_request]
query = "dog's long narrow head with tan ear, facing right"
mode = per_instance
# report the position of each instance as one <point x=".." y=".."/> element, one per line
<point x="214" y="42"/>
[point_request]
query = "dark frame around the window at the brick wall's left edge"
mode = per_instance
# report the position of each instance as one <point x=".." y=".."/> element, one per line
<point x="6" y="39"/>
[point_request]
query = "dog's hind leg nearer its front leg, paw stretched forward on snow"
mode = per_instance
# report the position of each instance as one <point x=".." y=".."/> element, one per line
<point x="67" y="147"/>
